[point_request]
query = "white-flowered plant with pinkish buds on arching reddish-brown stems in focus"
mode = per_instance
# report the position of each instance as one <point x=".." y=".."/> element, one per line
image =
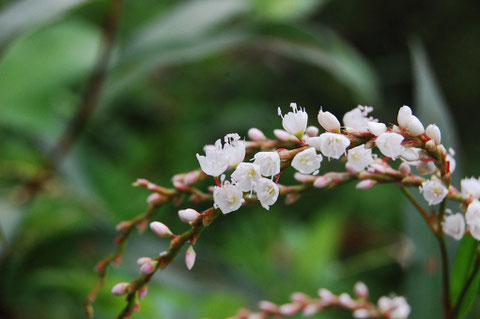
<point x="247" y="172"/>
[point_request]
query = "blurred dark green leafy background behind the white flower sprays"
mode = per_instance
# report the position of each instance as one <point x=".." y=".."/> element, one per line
<point x="183" y="74"/>
